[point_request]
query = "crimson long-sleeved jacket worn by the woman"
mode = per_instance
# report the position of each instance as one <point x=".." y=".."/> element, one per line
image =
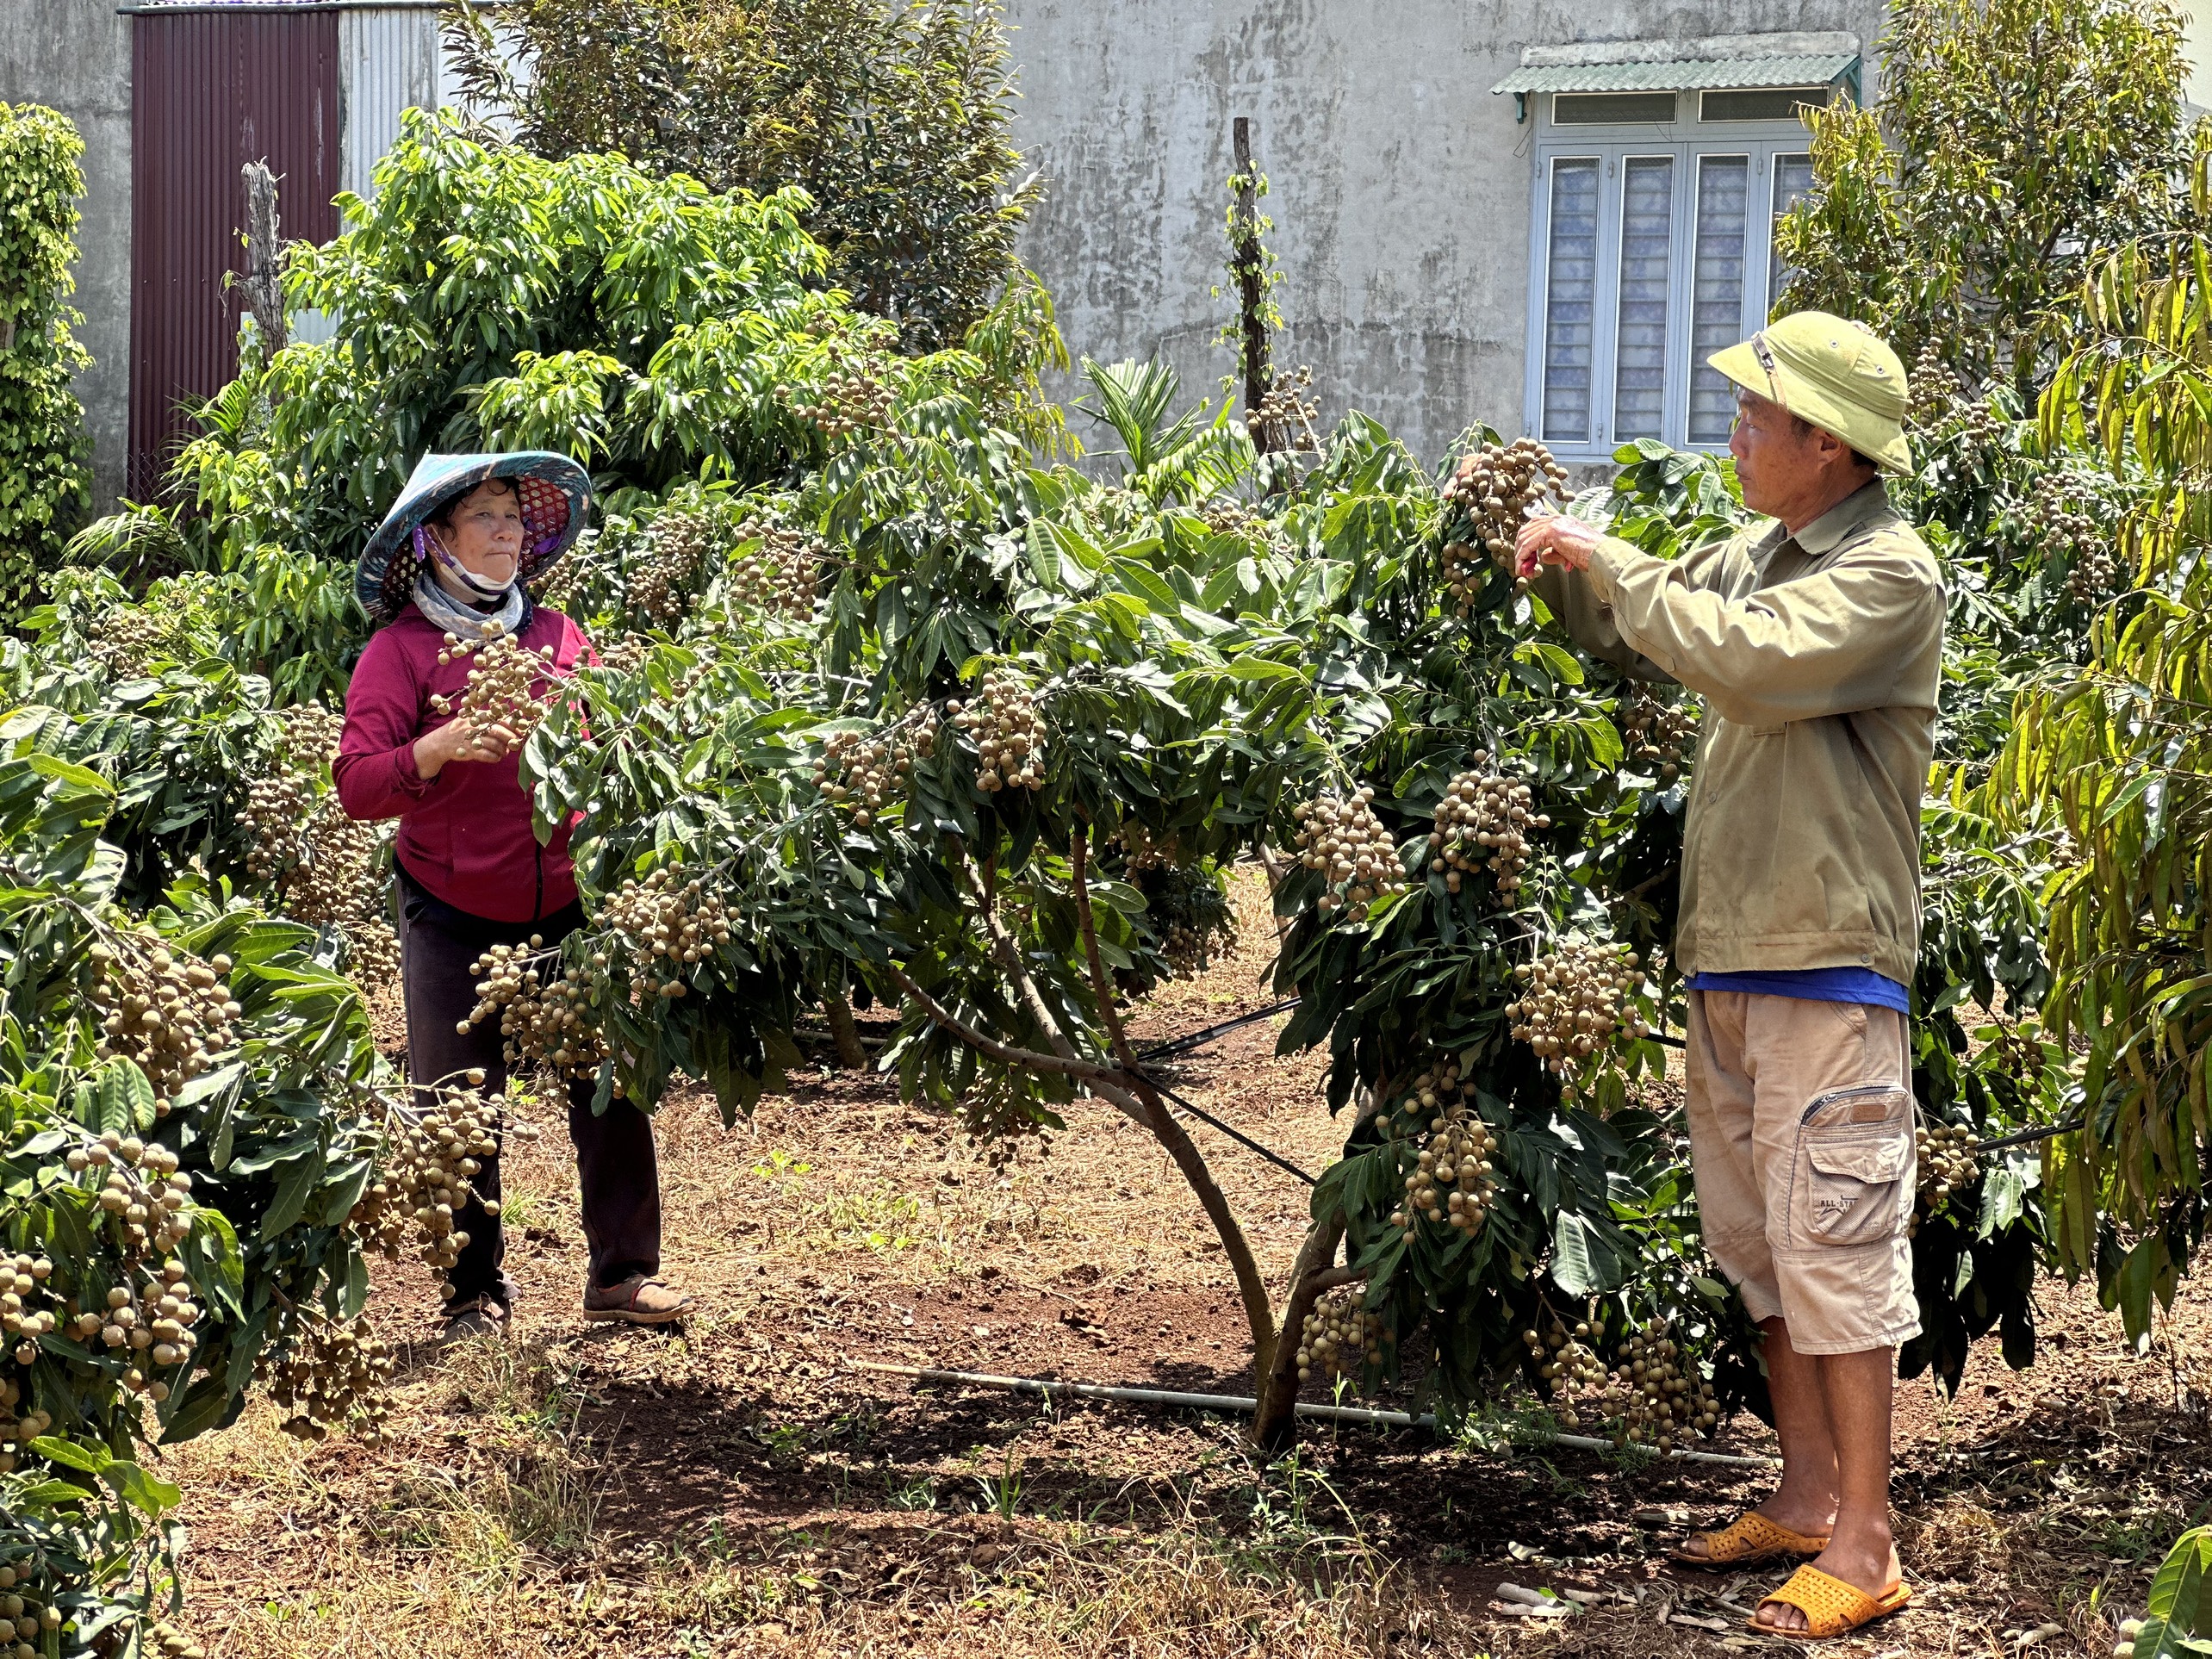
<point x="468" y="833"/>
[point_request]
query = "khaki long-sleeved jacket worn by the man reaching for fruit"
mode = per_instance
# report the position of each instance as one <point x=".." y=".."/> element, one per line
<point x="1819" y="660"/>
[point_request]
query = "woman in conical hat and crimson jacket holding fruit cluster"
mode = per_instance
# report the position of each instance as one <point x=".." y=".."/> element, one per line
<point x="446" y="576"/>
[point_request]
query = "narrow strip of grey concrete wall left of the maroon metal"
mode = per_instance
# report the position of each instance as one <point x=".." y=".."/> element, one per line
<point x="76" y="56"/>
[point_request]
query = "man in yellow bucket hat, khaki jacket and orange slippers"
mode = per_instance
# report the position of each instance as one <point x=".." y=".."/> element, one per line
<point x="1817" y="645"/>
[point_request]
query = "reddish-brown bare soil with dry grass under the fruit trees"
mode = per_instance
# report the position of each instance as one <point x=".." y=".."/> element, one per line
<point x="740" y="1488"/>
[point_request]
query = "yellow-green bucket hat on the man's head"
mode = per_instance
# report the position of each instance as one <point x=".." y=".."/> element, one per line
<point x="1833" y="373"/>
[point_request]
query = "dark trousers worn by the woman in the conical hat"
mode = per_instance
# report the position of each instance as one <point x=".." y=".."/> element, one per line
<point x="614" y="1151"/>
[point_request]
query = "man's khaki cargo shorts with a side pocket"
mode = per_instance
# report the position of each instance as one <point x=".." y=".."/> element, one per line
<point x="1802" y="1134"/>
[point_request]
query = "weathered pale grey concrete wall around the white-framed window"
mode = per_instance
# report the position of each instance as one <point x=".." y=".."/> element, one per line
<point x="1401" y="187"/>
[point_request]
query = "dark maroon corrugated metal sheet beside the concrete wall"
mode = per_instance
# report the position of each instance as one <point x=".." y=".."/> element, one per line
<point x="216" y="87"/>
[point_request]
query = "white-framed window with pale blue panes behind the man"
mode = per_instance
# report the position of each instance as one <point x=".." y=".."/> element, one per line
<point x="1653" y="249"/>
